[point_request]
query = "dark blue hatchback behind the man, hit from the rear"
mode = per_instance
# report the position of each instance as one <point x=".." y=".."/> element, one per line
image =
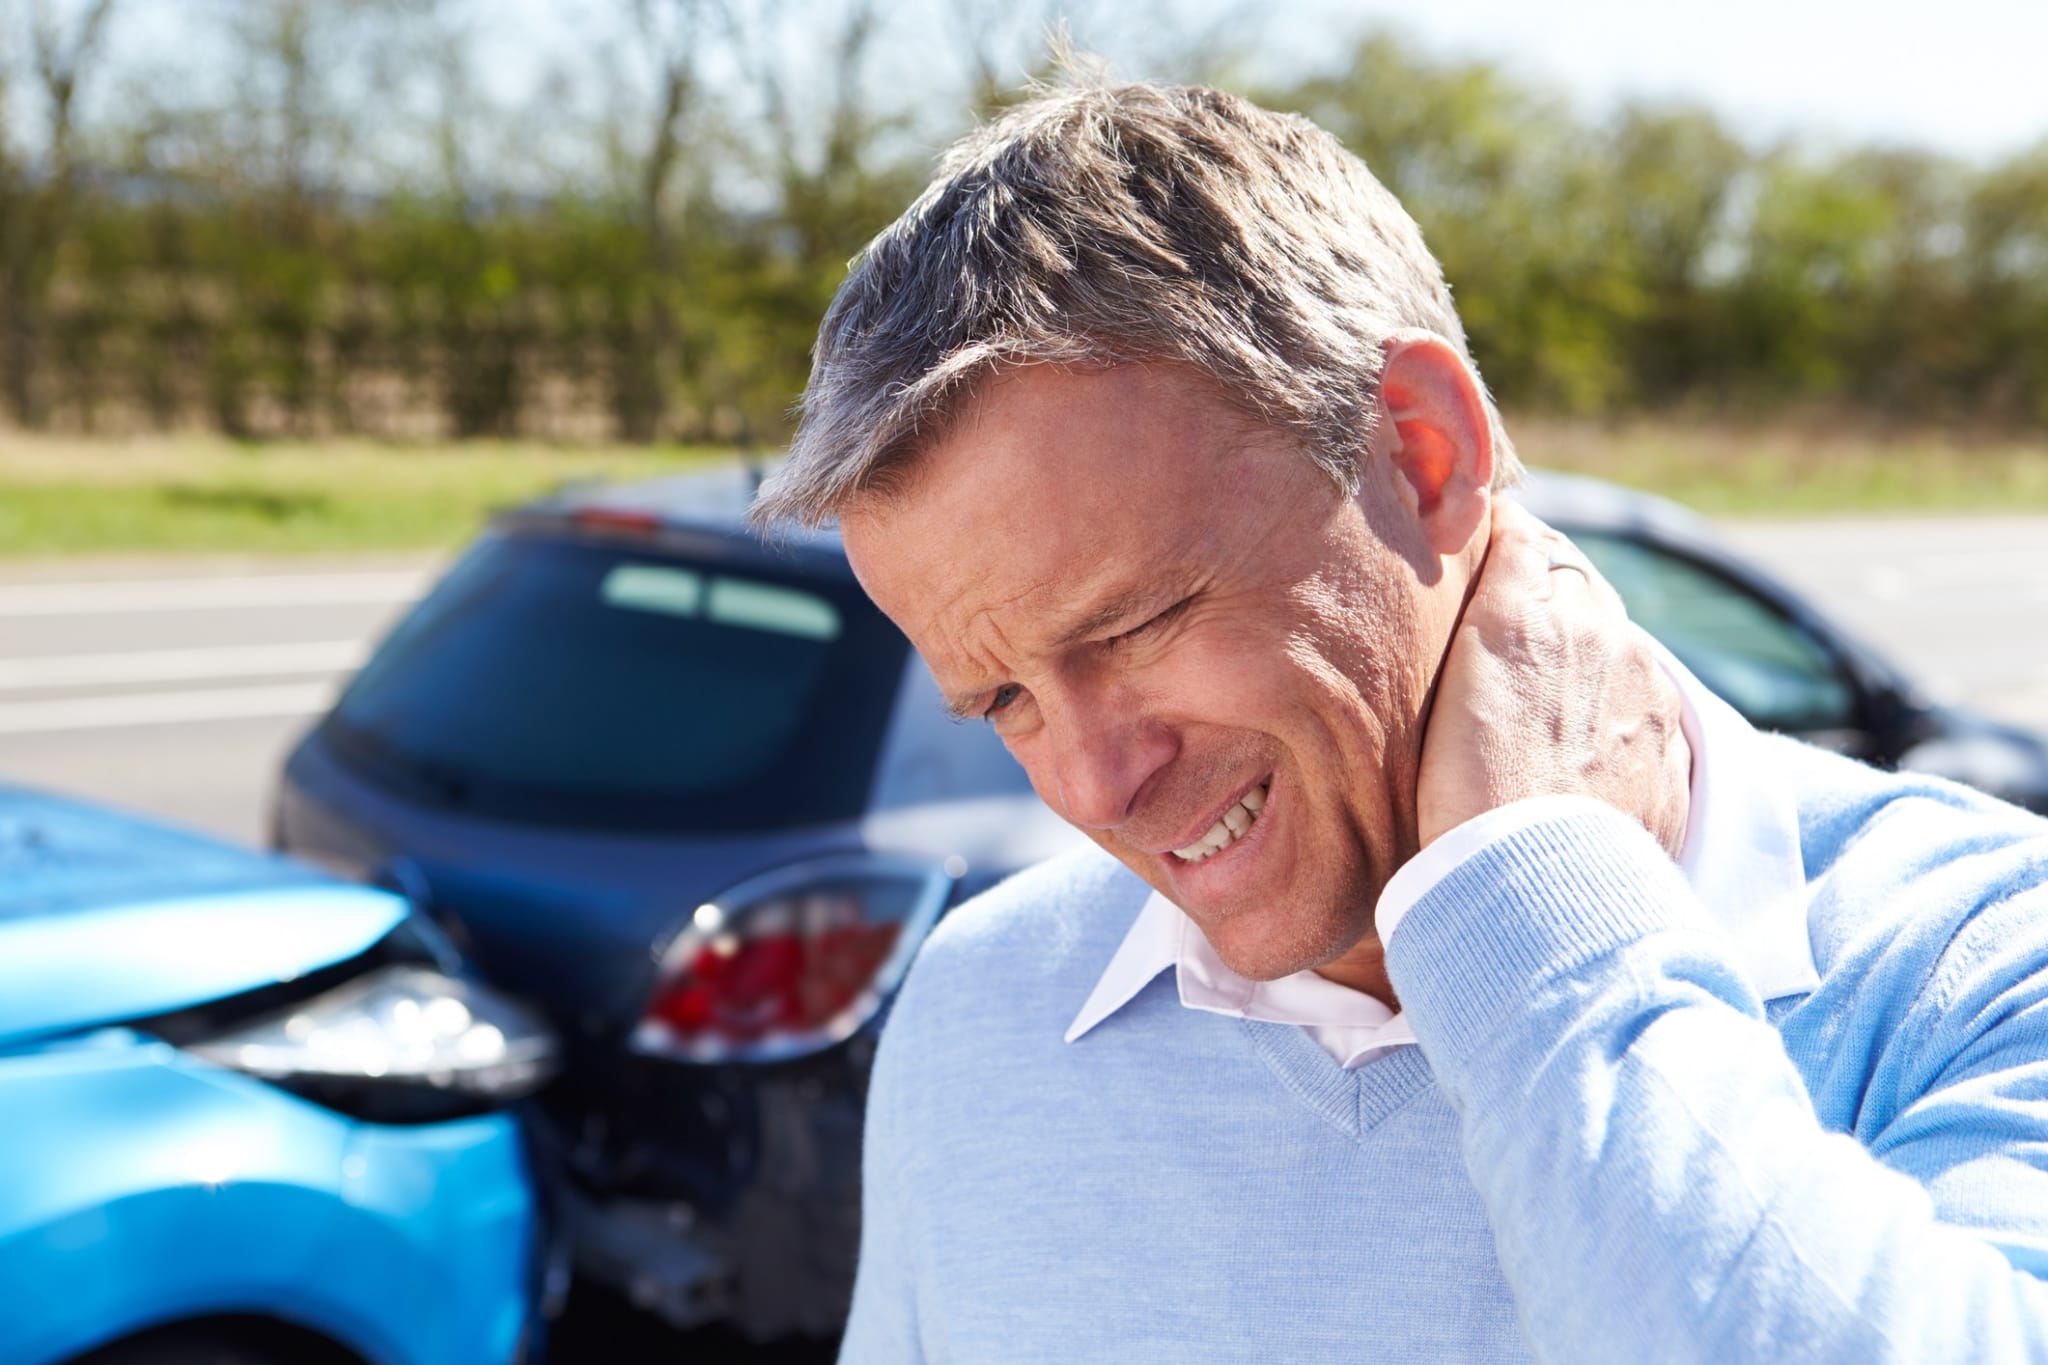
<point x="697" y="799"/>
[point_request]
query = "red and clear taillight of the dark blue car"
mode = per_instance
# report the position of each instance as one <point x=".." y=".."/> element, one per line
<point x="792" y="961"/>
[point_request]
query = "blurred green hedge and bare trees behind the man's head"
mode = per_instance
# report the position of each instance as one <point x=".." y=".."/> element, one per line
<point x="646" y="251"/>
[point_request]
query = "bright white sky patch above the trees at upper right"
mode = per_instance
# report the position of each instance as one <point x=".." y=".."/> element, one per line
<point x="1965" y="77"/>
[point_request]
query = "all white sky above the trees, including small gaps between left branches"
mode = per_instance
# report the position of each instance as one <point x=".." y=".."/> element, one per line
<point x="1961" y="77"/>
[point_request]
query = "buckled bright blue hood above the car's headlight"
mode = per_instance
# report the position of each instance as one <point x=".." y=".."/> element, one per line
<point x="108" y="918"/>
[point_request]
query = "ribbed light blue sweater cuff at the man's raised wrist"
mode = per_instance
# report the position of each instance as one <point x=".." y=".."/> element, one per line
<point x="1535" y="904"/>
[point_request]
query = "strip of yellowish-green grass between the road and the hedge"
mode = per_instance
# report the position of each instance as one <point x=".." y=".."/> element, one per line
<point x="187" y="494"/>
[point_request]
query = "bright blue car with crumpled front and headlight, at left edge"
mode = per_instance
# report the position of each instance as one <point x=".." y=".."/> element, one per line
<point x="249" y="1114"/>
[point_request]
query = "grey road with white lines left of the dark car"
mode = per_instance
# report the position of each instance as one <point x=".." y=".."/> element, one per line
<point x="177" y="689"/>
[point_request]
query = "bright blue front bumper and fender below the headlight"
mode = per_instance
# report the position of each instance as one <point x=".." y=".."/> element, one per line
<point x="171" y="1190"/>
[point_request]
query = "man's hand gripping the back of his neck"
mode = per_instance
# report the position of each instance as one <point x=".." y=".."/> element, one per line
<point x="1549" y="691"/>
